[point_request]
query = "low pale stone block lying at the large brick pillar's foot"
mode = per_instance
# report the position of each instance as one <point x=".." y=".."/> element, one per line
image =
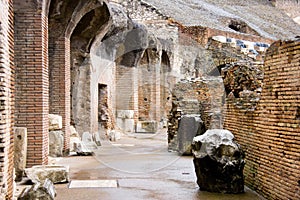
<point x="55" y="173"/>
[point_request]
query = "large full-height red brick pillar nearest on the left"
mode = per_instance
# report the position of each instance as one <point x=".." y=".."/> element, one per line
<point x="32" y="81"/>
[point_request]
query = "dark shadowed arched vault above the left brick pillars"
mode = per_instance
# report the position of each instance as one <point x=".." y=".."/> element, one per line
<point x="79" y="20"/>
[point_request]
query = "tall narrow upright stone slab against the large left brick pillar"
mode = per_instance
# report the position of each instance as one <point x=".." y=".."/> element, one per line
<point x="20" y="151"/>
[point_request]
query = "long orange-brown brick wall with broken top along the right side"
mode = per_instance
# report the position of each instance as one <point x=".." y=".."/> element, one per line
<point x="270" y="135"/>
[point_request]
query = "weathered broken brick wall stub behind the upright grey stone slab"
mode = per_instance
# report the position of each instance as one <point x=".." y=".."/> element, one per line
<point x="203" y="97"/>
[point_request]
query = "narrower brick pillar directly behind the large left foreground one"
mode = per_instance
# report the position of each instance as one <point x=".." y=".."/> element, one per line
<point x="59" y="51"/>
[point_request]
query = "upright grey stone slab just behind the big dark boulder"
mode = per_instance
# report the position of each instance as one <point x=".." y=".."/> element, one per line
<point x="189" y="127"/>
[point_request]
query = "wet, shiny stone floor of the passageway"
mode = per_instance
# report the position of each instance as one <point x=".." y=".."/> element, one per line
<point x="136" y="167"/>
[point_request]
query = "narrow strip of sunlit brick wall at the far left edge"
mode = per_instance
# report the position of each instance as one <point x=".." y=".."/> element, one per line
<point x="6" y="99"/>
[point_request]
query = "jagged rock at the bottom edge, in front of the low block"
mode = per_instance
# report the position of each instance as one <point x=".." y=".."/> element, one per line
<point x="41" y="191"/>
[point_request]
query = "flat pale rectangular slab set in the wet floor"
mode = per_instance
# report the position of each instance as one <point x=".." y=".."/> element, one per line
<point x="93" y="183"/>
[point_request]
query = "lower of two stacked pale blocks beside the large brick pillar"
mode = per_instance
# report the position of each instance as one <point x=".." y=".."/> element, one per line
<point x="56" y="143"/>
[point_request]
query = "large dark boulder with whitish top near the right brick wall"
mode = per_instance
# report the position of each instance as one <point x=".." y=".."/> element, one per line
<point x="219" y="162"/>
